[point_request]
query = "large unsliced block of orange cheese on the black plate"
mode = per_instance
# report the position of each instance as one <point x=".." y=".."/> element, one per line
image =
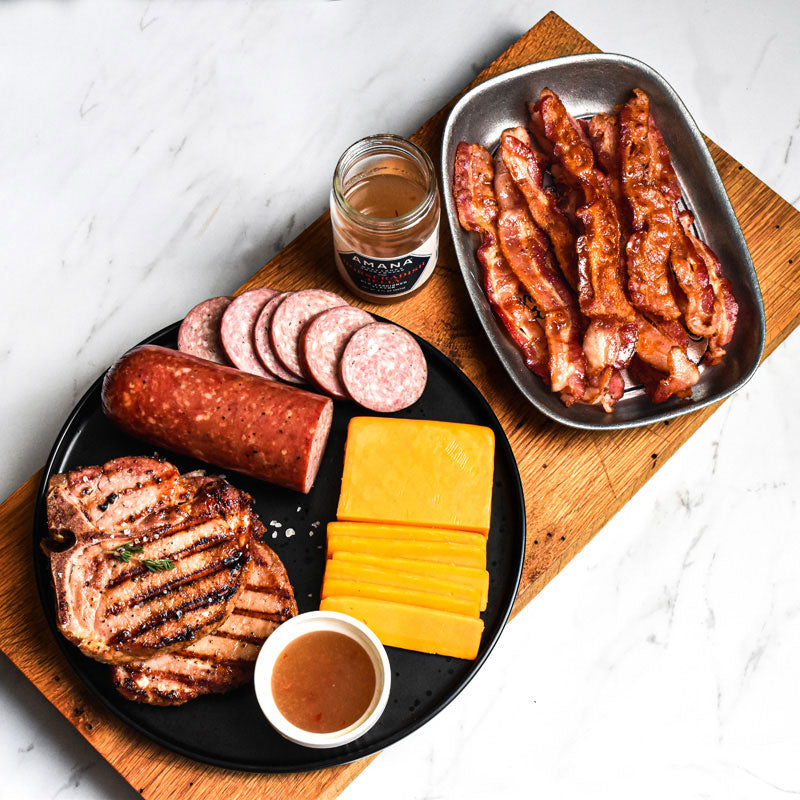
<point x="418" y="472"/>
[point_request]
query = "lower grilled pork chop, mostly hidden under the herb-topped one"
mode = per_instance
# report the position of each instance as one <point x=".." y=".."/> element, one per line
<point x="225" y="659"/>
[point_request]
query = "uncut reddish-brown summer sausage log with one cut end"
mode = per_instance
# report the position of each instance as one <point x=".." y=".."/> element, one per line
<point x="226" y="417"/>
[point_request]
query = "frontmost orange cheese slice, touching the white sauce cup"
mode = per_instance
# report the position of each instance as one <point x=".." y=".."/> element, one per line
<point x="413" y="627"/>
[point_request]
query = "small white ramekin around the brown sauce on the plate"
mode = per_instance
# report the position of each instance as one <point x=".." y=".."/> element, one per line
<point x="322" y="621"/>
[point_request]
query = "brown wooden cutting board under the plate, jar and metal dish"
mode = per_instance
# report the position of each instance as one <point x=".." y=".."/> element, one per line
<point x="557" y="464"/>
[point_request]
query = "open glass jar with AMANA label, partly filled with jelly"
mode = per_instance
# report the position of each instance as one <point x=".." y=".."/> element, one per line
<point x="385" y="216"/>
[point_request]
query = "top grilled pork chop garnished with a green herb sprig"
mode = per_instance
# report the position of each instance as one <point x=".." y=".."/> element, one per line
<point x="119" y="612"/>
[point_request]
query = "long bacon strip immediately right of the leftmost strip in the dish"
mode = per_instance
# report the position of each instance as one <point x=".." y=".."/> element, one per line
<point x="527" y="251"/>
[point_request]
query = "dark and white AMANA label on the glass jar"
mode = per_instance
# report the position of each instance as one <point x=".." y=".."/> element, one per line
<point x="389" y="277"/>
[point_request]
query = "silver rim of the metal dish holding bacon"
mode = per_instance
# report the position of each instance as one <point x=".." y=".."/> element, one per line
<point x="562" y="416"/>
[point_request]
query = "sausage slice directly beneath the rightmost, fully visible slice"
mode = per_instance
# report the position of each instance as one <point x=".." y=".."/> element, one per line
<point x="322" y="343"/>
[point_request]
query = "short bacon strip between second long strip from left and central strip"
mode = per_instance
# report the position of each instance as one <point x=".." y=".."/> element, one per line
<point x="525" y="164"/>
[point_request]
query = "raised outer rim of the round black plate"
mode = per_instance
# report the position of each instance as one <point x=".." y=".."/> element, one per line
<point x="69" y="651"/>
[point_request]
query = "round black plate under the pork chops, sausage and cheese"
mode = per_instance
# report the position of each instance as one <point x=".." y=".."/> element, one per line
<point x="230" y="730"/>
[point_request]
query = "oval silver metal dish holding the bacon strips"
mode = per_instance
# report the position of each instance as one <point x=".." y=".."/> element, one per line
<point x="588" y="84"/>
